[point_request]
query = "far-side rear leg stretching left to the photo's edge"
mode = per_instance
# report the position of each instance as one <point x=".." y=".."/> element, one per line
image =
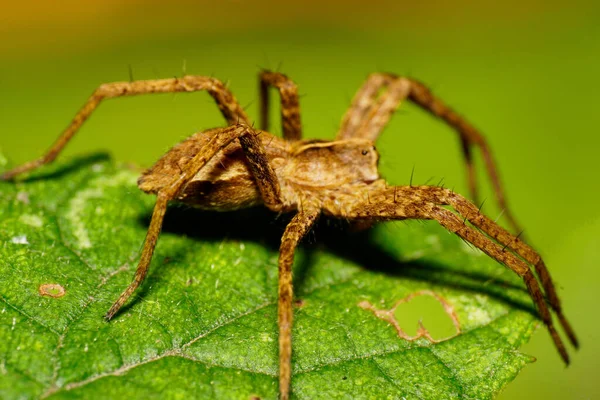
<point x="228" y="105"/>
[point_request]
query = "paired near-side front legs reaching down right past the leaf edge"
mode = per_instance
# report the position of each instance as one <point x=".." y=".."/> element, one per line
<point x="426" y="202"/>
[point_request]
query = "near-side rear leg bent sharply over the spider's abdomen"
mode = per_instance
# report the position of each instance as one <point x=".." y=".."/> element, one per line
<point x="222" y="137"/>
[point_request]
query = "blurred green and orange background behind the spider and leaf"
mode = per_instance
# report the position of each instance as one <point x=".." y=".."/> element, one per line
<point x="525" y="72"/>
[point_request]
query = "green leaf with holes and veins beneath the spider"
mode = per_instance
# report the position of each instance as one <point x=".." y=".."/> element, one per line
<point x="204" y="323"/>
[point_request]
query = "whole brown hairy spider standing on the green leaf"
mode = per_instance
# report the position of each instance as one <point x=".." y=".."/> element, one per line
<point x="236" y="166"/>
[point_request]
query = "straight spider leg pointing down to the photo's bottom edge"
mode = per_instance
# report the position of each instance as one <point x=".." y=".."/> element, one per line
<point x="294" y="232"/>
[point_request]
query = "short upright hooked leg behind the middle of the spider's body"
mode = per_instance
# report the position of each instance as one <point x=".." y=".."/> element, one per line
<point x="290" y="104"/>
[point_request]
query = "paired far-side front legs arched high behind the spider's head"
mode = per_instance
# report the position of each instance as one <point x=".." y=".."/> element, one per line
<point x="381" y="95"/>
